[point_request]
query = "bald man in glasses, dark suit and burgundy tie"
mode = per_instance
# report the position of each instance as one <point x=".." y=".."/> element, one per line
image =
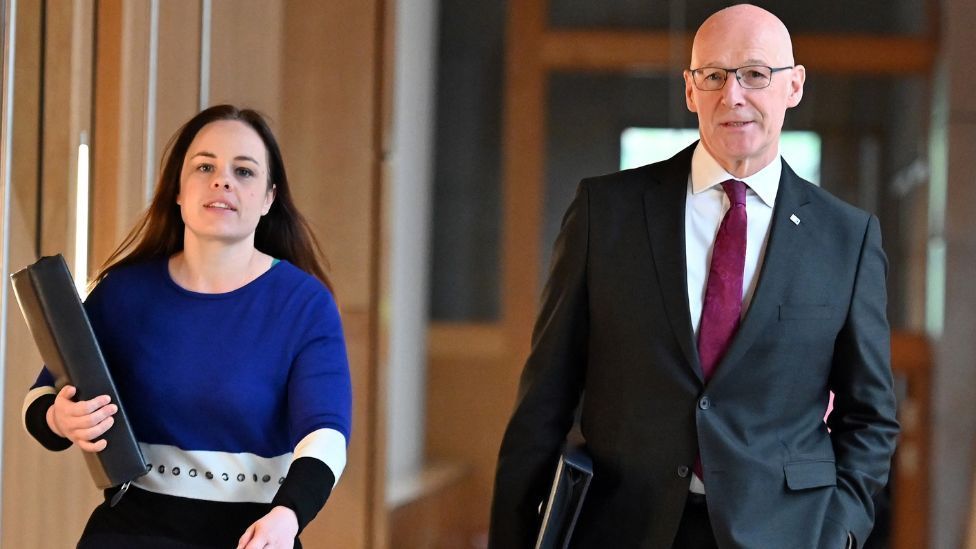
<point x="701" y="310"/>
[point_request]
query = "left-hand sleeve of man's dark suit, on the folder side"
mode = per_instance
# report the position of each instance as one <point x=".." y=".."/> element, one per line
<point x="549" y="389"/>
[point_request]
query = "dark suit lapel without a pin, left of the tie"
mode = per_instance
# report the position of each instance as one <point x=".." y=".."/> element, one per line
<point x="664" y="211"/>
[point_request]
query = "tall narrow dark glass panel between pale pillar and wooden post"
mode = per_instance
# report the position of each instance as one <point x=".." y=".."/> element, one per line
<point x="465" y="275"/>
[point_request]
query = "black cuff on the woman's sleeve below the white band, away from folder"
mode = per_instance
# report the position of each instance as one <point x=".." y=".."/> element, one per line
<point x="305" y="489"/>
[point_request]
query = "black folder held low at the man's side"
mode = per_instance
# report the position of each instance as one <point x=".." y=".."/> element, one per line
<point x="569" y="485"/>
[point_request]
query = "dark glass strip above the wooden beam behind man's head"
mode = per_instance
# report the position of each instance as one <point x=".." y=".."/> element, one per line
<point x="869" y="16"/>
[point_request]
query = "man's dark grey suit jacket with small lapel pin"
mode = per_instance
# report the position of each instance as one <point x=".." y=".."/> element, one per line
<point x="615" y="326"/>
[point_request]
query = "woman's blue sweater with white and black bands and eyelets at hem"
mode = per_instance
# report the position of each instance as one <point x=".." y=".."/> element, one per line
<point x="225" y="392"/>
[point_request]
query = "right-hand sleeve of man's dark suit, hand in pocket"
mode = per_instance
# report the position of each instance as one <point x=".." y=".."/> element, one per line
<point x="863" y="425"/>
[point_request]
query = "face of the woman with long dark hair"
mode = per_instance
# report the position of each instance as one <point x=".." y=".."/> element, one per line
<point x="224" y="188"/>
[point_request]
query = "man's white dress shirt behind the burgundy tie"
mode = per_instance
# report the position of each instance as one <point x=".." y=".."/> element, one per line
<point x="705" y="207"/>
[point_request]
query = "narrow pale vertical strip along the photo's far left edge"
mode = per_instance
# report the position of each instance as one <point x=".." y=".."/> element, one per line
<point x="6" y="134"/>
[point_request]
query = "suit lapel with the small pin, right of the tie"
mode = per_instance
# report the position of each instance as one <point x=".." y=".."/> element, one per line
<point x="786" y="238"/>
